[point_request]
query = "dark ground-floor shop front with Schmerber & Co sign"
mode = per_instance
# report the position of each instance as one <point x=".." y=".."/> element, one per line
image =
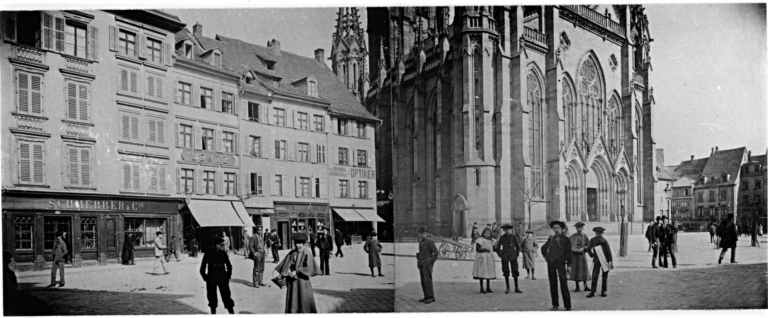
<point x="96" y="225"/>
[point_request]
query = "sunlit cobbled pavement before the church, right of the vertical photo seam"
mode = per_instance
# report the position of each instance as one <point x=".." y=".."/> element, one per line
<point x="697" y="283"/>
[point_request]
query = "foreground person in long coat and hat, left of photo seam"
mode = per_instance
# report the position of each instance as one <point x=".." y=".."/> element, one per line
<point x="298" y="267"/>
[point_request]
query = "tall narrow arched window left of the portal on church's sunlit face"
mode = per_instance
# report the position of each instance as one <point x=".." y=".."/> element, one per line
<point x="535" y="131"/>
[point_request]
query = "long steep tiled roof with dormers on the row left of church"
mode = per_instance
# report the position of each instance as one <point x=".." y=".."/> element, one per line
<point x="240" y="57"/>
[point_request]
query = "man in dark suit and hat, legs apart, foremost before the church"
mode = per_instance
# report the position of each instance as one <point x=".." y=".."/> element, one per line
<point x="558" y="254"/>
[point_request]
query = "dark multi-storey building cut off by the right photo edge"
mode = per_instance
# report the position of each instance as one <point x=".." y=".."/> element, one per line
<point x="752" y="190"/>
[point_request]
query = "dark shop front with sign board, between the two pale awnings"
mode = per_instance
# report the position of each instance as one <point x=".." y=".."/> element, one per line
<point x="292" y="218"/>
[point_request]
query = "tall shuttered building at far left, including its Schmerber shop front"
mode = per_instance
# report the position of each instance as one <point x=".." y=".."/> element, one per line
<point x="85" y="136"/>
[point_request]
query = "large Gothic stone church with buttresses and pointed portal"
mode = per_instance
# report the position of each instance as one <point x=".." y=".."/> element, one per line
<point x="513" y="114"/>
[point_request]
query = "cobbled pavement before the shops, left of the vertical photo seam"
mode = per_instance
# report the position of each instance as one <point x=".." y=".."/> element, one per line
<point x="132" y="290"/>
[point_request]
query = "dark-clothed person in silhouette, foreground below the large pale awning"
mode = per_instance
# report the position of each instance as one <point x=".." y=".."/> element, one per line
<point x="217" y="276"/>
